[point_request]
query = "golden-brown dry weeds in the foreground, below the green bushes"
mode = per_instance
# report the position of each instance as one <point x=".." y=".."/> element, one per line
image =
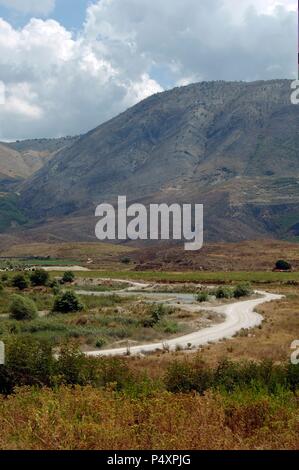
<point x="86" y="418"/>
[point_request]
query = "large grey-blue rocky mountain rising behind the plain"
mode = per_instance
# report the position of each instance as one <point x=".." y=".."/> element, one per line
<point x="232" y="146"/>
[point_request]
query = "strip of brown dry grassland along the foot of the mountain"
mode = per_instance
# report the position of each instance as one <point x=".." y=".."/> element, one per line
<point x="256" y="255"/>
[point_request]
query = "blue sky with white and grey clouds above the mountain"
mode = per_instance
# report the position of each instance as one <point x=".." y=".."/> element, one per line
<point x="66" y="66"/>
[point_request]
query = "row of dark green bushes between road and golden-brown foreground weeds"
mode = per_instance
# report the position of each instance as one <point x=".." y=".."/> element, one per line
<point x="31" y="362"/>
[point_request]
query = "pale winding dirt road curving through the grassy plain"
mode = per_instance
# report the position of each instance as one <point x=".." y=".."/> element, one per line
<point x="238" y="315"/>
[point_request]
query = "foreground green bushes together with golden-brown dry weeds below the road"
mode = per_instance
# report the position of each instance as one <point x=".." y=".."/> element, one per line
<point x="78" y="402"/>
